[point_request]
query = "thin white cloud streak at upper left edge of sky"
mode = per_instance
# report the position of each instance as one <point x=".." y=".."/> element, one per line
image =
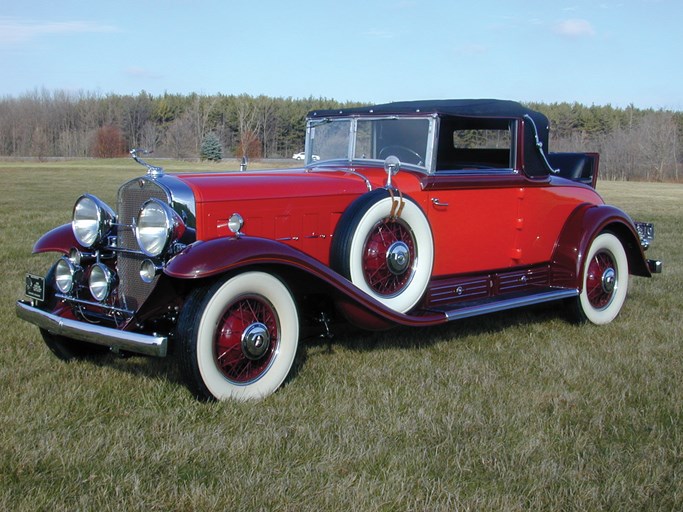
<point x="15" y="31"/>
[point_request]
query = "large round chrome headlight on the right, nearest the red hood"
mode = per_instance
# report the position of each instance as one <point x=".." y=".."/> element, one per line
<point x="156" y="227"/>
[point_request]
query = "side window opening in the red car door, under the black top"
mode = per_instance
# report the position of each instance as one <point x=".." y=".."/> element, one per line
<point x="474" y="143"/>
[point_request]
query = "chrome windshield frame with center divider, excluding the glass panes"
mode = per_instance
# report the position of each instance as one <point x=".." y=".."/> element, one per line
<point x="350" y="158"/>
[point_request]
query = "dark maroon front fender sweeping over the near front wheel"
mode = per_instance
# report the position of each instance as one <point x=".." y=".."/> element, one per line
<point x="221" y="255"/>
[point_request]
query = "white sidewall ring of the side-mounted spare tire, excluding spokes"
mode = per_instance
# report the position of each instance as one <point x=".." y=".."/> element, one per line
<point x="418" y="224"/>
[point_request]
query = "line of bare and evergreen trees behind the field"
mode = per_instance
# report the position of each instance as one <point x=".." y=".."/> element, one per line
<point x="634" y="144"/>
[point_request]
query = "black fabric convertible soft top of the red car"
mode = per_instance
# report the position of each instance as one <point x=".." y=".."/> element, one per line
<point x="535" y="162"/>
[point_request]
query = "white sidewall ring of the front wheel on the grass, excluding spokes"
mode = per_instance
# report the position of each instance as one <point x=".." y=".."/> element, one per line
<point x="216" y="301"/>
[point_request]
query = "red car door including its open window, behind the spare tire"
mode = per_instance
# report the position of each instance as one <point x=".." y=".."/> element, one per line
<point x="475" y="195"/>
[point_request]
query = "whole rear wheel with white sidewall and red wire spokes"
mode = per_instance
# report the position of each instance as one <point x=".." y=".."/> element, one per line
<point x="605" y="281"/>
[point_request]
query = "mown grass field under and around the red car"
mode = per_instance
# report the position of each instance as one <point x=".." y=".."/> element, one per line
<point x="515" y="411"/>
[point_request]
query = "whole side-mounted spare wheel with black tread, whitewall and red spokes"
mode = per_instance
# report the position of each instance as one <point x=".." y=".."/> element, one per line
<point x="383" y="244"/>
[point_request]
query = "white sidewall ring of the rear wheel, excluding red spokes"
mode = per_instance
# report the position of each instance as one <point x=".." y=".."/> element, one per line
<point x="605" y="242"/>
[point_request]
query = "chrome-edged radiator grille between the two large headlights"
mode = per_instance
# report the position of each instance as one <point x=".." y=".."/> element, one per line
<point x="133" y="291"/>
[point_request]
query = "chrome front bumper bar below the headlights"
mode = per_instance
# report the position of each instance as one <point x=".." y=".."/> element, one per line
<point x="150" y="345"/>
